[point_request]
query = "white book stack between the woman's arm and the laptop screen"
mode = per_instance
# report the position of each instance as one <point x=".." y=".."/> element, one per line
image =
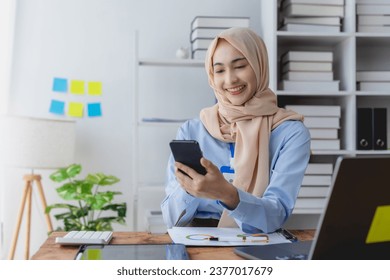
<point x="315" y="186"/>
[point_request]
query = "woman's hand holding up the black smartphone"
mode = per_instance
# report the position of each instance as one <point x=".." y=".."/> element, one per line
<point x="212" y="185"/>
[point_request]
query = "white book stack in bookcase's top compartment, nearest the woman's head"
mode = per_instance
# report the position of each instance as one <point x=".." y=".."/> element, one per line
<point x="311" y="15"/>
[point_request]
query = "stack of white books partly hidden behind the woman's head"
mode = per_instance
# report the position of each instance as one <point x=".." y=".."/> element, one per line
<point x="205" y="28"/>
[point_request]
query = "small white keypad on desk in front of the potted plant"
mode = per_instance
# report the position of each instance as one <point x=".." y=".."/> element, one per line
<point x="85" y="237"/>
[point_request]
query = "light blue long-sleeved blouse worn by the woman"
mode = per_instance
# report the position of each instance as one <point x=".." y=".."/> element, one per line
<point x="289" y="156"/>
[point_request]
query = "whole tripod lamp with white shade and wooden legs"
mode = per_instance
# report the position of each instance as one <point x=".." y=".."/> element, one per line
<point x="35" y="143"/>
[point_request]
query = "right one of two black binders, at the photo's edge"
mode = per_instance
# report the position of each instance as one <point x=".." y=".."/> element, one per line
<point x="379" y="129"/>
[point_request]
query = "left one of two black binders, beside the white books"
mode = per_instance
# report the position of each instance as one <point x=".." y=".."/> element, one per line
<point x="364" y="129"/>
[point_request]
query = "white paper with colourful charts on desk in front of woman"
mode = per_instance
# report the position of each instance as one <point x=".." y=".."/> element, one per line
<point x="213" y="236"/>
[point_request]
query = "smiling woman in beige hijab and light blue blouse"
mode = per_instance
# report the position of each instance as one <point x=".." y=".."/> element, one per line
<point x="255" y="153"/>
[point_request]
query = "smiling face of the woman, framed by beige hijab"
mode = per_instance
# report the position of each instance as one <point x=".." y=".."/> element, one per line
<point x="233" y="75"/>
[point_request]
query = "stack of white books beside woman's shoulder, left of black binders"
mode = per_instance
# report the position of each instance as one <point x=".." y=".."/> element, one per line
<point x="323" y="122"/>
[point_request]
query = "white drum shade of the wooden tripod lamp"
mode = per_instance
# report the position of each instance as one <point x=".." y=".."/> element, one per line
<point x="37" y="143"/>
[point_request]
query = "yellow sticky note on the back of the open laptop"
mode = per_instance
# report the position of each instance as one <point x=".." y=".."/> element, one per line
<point x="380" y="226"/>
